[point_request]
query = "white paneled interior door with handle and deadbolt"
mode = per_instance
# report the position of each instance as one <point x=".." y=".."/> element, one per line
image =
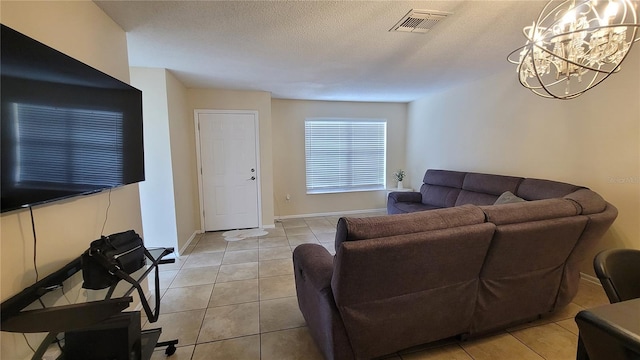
<point x="229" y="169"/>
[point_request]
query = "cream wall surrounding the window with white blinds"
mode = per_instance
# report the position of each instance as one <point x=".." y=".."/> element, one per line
<point x="289" y="159"/>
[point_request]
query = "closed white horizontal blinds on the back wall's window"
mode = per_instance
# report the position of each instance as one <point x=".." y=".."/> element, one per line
<point x="345" y="154"/>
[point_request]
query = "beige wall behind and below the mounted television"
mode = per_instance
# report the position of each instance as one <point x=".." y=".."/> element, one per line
<point x="64" y="228"/>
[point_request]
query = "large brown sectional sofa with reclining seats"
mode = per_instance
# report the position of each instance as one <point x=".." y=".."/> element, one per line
<point x="464" y="268"/>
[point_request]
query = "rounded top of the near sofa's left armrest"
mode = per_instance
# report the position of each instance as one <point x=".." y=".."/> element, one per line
<point x="313" y="265"/>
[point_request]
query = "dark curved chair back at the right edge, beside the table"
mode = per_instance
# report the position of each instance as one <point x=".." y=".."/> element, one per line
<point x="619" y="273"/>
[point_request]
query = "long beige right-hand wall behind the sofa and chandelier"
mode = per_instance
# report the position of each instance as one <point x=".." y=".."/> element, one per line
<point x="497" y="126"/>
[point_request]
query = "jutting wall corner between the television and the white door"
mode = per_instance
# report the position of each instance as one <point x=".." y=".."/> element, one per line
<point x="169" y="197"/>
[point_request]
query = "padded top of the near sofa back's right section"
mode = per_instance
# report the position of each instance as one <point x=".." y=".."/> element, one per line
<point x="527" y="211"/>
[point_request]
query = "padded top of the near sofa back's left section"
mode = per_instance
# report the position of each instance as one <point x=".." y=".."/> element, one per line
<point x="389" y="225"/>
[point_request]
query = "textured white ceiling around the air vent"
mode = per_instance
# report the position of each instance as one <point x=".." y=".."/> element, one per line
<point x="322" y="50"/>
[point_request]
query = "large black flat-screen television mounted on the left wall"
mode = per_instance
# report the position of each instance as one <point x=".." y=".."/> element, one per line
<point x="67" y="128"/>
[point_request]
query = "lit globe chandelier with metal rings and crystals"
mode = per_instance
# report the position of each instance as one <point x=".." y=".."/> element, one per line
<point x="574" y="45"/>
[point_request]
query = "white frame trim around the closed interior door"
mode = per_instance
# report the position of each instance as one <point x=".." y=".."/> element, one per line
<point x="256" y="124"/>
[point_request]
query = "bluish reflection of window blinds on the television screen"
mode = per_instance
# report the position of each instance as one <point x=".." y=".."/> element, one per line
<point x="66" y="146"/>
